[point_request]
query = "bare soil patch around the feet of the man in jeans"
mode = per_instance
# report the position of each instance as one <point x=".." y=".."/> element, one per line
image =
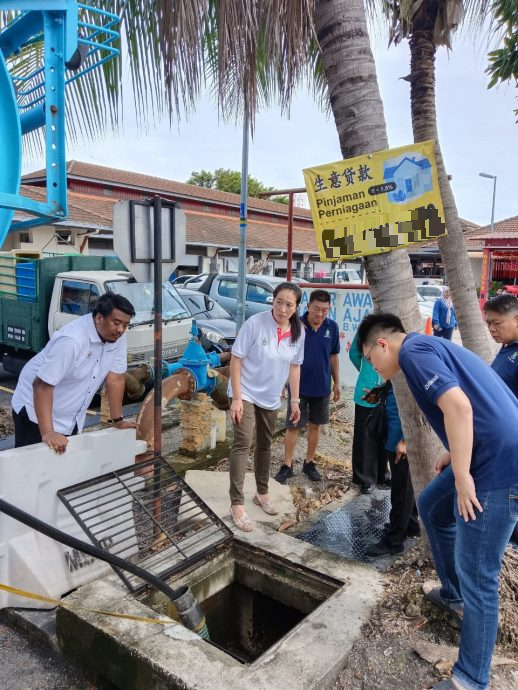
<point x="384" y="656"/>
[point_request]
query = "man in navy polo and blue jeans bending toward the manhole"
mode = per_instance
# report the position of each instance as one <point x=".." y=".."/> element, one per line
<point x="471" y="508"/>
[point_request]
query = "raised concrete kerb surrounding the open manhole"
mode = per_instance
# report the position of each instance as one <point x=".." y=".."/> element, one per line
<point x="137" y="655"/>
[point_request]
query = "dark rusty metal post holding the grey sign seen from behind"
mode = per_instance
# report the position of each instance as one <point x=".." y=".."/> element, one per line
<point x="157" y="286"/>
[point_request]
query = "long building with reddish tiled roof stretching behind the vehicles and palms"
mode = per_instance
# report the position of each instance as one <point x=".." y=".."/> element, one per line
<point x="212" y="222"/>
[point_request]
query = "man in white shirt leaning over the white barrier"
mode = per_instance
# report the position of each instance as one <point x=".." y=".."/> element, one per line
<point x="56" y="387"/>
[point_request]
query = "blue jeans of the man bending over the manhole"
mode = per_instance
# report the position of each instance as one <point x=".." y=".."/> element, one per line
<point x="468" y="558"/>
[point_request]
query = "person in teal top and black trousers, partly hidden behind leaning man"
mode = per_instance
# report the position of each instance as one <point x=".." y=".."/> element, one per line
<point x="369" y="462"/>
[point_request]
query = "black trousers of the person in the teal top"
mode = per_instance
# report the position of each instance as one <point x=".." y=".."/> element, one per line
<point x="369" y="461"/>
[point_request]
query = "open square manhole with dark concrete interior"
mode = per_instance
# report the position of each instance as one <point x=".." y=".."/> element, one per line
<point x="251" y="598"/>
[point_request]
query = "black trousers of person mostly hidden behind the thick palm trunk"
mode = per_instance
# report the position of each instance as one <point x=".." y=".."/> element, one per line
<point x="403" y="513"/>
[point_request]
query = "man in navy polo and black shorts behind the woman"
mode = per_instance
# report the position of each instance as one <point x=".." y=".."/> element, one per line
<point x="321" y="348"/>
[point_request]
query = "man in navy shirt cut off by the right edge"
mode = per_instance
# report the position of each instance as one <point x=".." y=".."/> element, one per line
<point x="502" y="319"/>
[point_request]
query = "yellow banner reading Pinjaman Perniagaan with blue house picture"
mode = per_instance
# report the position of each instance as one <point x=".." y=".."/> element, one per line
<point x="376" y="202"/>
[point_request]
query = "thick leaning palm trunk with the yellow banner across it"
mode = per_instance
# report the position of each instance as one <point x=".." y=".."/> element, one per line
<point x="358" y="111"/>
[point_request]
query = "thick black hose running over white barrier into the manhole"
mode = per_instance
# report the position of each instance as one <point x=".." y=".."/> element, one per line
<point x="188" y="609"/>
